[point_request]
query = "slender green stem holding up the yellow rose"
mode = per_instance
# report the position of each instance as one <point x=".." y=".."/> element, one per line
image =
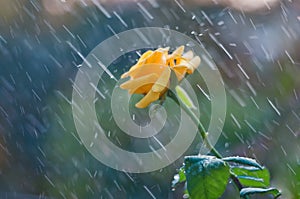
<point x="203" y="135"/>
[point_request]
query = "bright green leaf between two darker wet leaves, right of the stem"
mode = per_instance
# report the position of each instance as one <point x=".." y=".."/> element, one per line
<point x="252" y="176"/>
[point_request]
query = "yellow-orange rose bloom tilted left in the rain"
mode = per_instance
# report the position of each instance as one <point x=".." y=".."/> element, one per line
<point x="151" y="74"/>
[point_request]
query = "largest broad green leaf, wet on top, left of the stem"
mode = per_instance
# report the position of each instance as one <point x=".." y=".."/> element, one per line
<point x="206" y="176"/>
